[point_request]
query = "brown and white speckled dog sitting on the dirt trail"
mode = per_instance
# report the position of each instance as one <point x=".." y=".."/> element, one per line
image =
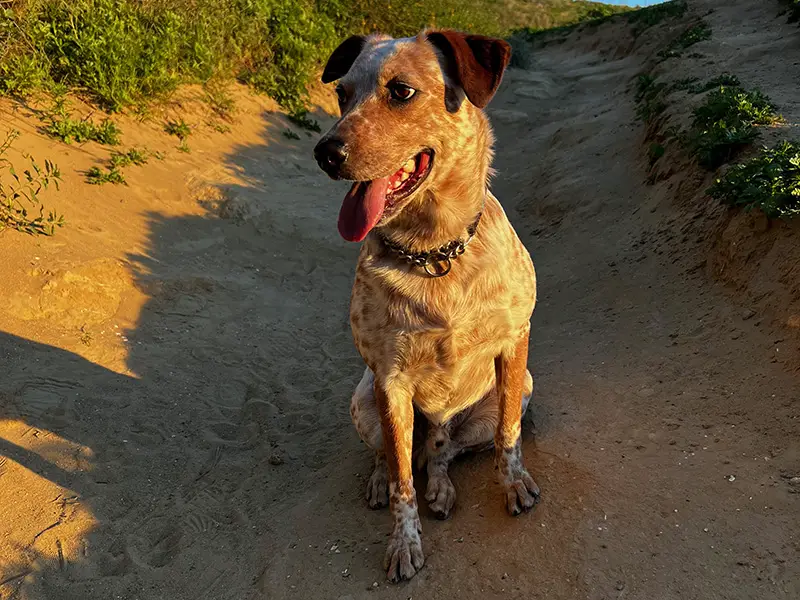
<point x="444" y="289"/>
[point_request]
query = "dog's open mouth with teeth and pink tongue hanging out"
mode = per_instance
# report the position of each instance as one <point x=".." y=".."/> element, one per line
<point x="369" y="201"/>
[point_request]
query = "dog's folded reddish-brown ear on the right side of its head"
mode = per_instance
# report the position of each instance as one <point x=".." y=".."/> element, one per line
<point x="477" y="62"/>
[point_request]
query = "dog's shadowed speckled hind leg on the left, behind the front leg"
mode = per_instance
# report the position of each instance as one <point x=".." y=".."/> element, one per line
<point x="364" y="412"/>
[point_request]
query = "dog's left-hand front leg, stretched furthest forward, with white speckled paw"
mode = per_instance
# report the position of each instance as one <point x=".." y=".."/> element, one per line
<point x="404" y="555"/>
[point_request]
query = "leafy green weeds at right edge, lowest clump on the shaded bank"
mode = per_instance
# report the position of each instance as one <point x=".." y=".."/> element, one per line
<point x="769" y="181"/>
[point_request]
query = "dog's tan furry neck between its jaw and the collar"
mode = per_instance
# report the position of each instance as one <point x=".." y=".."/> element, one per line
<point x="450" y="205"/>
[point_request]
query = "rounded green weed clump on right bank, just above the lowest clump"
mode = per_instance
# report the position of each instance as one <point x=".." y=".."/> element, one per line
<point x="726" y="122"/>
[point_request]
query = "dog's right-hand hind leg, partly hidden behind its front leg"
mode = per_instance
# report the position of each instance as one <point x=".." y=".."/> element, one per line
<point x="471" y="430"/>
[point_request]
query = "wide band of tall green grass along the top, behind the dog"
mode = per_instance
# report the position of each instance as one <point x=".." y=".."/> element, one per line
<point x="121" y="53"/>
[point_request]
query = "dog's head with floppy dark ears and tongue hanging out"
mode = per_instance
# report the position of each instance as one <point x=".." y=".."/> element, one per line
<point x="406" y="105"/>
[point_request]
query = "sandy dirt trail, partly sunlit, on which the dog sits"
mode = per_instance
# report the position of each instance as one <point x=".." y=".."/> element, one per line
<point x="177" y="366"/>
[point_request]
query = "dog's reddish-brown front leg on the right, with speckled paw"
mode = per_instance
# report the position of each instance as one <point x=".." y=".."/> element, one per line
<point x="520" y="488"/>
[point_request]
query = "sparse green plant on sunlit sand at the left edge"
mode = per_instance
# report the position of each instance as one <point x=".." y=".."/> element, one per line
<point x="23" y="192"/>
